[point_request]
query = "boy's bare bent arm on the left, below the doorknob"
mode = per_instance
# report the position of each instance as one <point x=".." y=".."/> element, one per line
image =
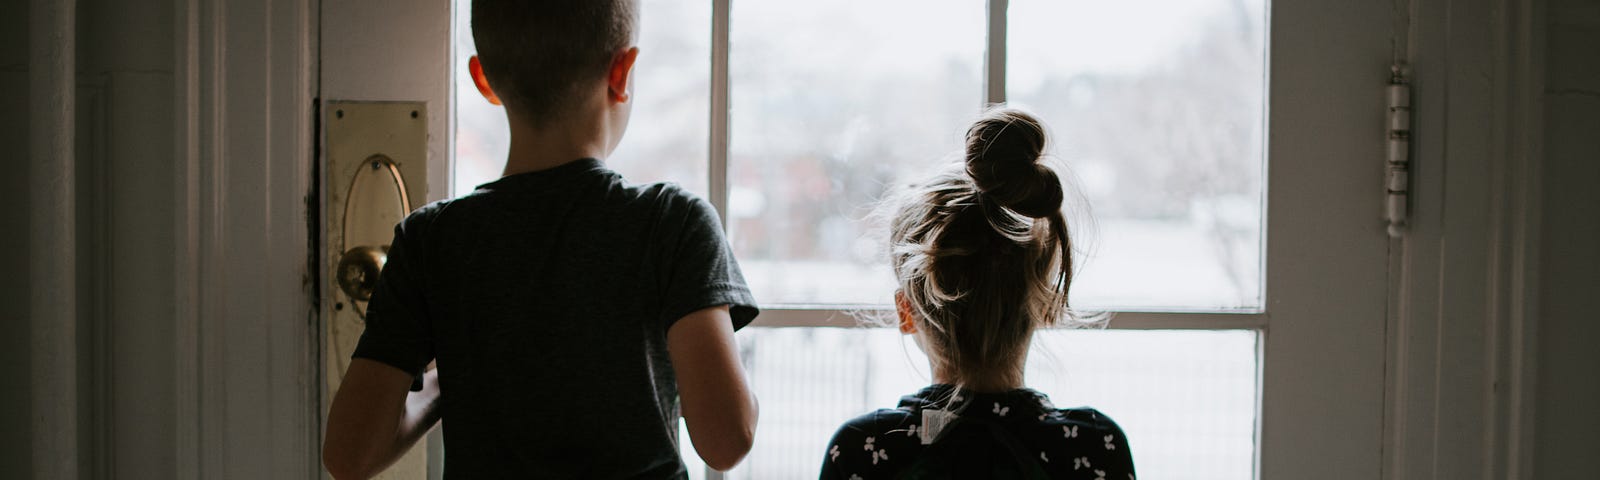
<point x="375" y="418"/>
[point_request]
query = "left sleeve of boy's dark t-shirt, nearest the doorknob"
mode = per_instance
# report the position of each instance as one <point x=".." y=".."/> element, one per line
<point x="398" y="327"/>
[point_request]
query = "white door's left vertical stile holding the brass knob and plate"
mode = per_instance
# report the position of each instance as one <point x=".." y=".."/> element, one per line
<point x="385" y="110"/>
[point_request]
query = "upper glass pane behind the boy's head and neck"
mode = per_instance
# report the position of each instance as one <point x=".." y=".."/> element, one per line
<point x="668" y="134"/>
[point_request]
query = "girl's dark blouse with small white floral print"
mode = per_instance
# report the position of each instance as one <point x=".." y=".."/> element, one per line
<point x="1068" y="442"/>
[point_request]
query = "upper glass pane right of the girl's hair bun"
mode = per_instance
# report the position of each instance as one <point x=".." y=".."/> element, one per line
<point x="1158" y="110"/>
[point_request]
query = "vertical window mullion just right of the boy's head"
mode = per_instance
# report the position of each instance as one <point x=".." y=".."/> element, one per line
<point x="721" y="12"/>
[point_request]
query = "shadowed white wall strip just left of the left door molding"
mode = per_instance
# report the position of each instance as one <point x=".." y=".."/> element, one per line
<point x="126" y="70"/>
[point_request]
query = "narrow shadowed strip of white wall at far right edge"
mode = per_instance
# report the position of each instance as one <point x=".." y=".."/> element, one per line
<point x="1569" y="361"/>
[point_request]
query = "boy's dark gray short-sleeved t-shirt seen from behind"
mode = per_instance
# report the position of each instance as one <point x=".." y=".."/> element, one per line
<point x="546" y="298"/>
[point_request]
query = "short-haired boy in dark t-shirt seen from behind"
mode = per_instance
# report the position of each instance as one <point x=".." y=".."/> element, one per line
<point x="567" y="311"/>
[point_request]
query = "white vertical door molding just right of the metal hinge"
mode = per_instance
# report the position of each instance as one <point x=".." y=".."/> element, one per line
<point x="1460" y="370"/>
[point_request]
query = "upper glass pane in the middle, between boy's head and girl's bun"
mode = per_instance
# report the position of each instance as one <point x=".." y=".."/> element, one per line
<point x="833" y="102"/>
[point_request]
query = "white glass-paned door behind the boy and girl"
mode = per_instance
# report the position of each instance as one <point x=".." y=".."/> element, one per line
<point x="1230" y="153"/>
